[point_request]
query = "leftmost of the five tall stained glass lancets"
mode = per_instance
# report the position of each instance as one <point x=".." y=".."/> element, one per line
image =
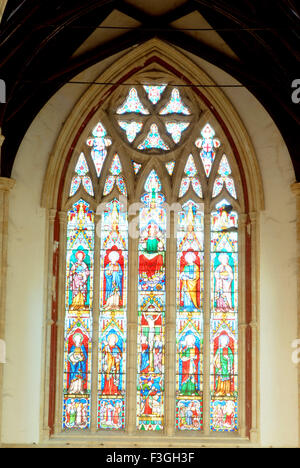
<point x="78" y="317"/>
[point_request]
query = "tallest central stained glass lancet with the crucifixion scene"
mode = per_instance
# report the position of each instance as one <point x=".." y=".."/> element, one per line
<point x="151" y="308"/>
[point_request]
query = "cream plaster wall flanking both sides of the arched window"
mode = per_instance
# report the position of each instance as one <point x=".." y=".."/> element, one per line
<point x="25" y="302"/>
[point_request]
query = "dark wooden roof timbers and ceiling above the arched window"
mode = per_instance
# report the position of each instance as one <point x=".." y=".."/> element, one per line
<point x="39" y="38"/>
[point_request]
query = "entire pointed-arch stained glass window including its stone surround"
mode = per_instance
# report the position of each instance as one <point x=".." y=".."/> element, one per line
<point x="137" y="309"/>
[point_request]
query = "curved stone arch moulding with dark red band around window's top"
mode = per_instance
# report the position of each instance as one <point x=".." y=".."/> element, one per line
<point x="152" y="59"/>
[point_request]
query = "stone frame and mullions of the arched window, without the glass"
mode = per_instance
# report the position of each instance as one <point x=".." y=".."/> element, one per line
<point x="237" y="146"/>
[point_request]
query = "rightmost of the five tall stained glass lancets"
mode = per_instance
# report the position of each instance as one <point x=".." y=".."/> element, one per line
<point x="224" y="319"/>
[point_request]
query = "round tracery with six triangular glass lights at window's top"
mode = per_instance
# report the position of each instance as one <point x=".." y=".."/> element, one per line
<point x="154" y="118"/>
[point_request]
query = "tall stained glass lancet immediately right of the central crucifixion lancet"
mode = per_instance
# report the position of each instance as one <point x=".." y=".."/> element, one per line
<point x="189" y="339"/>
